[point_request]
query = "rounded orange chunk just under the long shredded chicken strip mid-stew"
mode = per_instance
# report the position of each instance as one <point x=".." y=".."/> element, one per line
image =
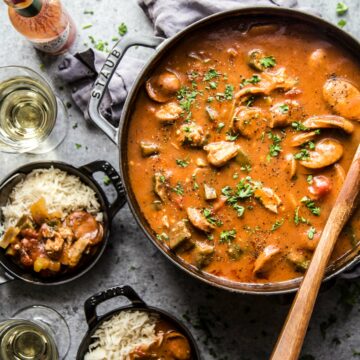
<point x="245" y="120"/>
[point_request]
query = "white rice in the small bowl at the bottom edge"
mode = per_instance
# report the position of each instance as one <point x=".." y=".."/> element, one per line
<point x="118" y="337"/>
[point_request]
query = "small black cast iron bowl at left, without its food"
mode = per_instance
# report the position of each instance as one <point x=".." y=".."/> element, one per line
<point x="109" y="210"/>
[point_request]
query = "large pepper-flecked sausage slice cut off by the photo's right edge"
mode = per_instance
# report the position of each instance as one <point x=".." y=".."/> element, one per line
<point x="343" y="97"/>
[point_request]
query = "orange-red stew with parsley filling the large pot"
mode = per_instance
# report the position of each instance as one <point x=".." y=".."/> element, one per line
<point x="239" y="144"/>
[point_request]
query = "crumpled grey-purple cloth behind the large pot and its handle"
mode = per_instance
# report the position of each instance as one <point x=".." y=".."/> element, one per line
<point x="169" y="17"/>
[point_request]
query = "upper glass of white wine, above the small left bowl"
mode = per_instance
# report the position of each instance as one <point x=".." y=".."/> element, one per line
<point x="32" y="118"/>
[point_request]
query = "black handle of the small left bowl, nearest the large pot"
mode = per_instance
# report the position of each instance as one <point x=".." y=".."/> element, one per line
<point x="114" y="178"/>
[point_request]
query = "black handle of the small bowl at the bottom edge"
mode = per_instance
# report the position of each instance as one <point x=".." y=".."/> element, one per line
<point x="92" y="303"/>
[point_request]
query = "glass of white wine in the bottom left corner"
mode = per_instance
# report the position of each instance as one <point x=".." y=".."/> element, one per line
<point x="34" y="333"/>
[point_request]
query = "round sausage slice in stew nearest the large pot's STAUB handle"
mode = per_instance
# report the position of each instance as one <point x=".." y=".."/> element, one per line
<point x="161" y="88"/>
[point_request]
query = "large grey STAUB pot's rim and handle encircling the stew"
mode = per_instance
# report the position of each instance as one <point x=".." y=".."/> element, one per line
<point x="261" y="15"/>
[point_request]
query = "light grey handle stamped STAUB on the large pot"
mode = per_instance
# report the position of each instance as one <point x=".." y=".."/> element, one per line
<point x="105" y="75"/>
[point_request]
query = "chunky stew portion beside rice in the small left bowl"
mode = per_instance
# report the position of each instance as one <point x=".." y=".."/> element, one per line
<point x="49" y="243"/>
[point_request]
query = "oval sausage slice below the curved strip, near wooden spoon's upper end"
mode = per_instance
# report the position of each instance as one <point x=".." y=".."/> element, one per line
<point x="327" y="151"/>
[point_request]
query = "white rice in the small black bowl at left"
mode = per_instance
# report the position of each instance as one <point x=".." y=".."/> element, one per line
<point x="61" y="191"/>
